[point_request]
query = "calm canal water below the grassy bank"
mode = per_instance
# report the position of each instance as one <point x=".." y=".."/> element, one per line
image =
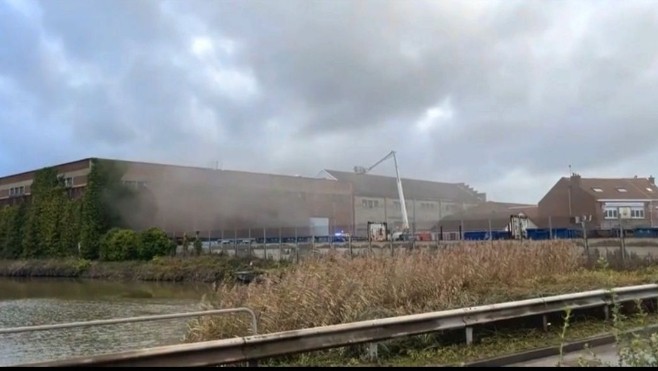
<point x="29" y="302"/>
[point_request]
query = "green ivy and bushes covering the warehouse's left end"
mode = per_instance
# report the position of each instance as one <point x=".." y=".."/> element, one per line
<point x="50" y="223"/>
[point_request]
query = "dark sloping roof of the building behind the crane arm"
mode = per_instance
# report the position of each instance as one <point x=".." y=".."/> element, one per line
<point x="370" y="185"/>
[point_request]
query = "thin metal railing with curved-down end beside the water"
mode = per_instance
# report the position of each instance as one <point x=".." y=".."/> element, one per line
<point x="114" y="321"/>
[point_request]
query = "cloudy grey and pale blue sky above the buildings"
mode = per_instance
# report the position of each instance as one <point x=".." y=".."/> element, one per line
<point x="500" y="95"/>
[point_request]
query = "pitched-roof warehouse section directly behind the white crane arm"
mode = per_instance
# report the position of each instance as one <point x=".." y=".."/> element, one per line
<point x="376" y="200"/>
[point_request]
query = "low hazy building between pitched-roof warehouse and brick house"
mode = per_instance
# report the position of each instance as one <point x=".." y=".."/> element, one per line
<point x="494" y="216"/>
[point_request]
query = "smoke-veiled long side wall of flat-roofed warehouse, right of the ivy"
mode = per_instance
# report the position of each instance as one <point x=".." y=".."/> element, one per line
<point x="230" y="202"/>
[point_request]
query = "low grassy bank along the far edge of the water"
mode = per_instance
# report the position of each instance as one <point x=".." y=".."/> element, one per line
<point x="205" y="268"/>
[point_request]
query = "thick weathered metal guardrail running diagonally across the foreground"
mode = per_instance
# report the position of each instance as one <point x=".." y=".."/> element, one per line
<point x="256" y="347"/>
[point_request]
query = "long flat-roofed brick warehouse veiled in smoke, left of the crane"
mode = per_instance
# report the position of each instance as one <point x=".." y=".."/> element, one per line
<point x="217" y="203"/>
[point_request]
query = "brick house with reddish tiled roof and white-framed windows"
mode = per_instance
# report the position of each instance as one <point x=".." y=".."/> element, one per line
<point x="602" y="200"/>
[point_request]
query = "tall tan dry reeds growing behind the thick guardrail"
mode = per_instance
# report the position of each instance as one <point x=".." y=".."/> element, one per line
<point x="338" y="289"/>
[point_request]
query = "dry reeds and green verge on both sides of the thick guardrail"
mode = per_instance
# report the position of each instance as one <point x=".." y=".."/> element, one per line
<point x="339" y="289"/>
